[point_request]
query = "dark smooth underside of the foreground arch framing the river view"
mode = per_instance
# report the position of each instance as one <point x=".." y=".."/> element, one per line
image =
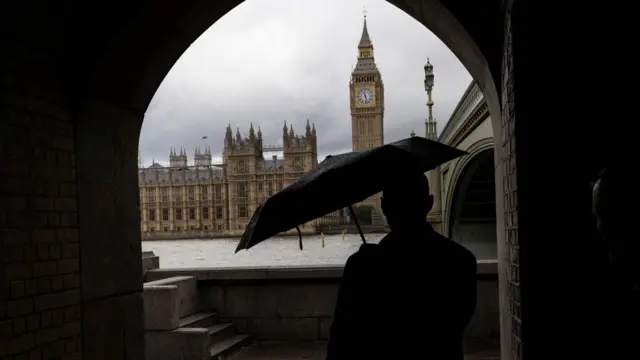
<point x="122" y="53"/>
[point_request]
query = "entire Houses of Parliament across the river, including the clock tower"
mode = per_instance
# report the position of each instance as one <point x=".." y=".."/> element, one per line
<point x="186" y="199"/>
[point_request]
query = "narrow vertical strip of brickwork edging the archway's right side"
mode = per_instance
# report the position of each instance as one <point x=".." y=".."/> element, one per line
<point x="508" y="169"/>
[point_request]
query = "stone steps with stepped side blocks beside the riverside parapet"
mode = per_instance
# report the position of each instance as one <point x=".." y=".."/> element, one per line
<point x="176" y="328"/>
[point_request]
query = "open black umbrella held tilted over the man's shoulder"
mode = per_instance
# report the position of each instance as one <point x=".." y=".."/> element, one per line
<point x="339" y="181"/>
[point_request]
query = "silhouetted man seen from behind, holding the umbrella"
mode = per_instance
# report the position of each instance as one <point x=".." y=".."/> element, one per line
<point x="410" y="296"/>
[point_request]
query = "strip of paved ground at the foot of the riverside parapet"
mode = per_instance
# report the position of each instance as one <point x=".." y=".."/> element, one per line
<point x="313" y="351"/>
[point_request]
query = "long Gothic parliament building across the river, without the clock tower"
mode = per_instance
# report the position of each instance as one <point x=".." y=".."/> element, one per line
<point x="207" y="199"/>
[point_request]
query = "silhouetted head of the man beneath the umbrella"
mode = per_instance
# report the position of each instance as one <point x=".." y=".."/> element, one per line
<point x="406" y="200"/>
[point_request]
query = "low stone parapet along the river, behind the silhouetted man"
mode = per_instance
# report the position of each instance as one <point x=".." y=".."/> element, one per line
<point x="285" y="303"/>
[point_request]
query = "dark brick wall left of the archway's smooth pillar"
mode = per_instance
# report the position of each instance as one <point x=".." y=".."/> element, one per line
<point x="40" y="315"/>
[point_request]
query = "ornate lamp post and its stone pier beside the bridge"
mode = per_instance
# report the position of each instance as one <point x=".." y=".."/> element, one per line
<point x="431" y="132"/>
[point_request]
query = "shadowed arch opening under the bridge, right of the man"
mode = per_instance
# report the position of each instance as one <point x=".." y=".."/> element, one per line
<point x="473" y="213"/>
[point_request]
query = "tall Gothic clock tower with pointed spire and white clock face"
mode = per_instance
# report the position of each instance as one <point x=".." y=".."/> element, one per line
<point x="366" y="99"/>
